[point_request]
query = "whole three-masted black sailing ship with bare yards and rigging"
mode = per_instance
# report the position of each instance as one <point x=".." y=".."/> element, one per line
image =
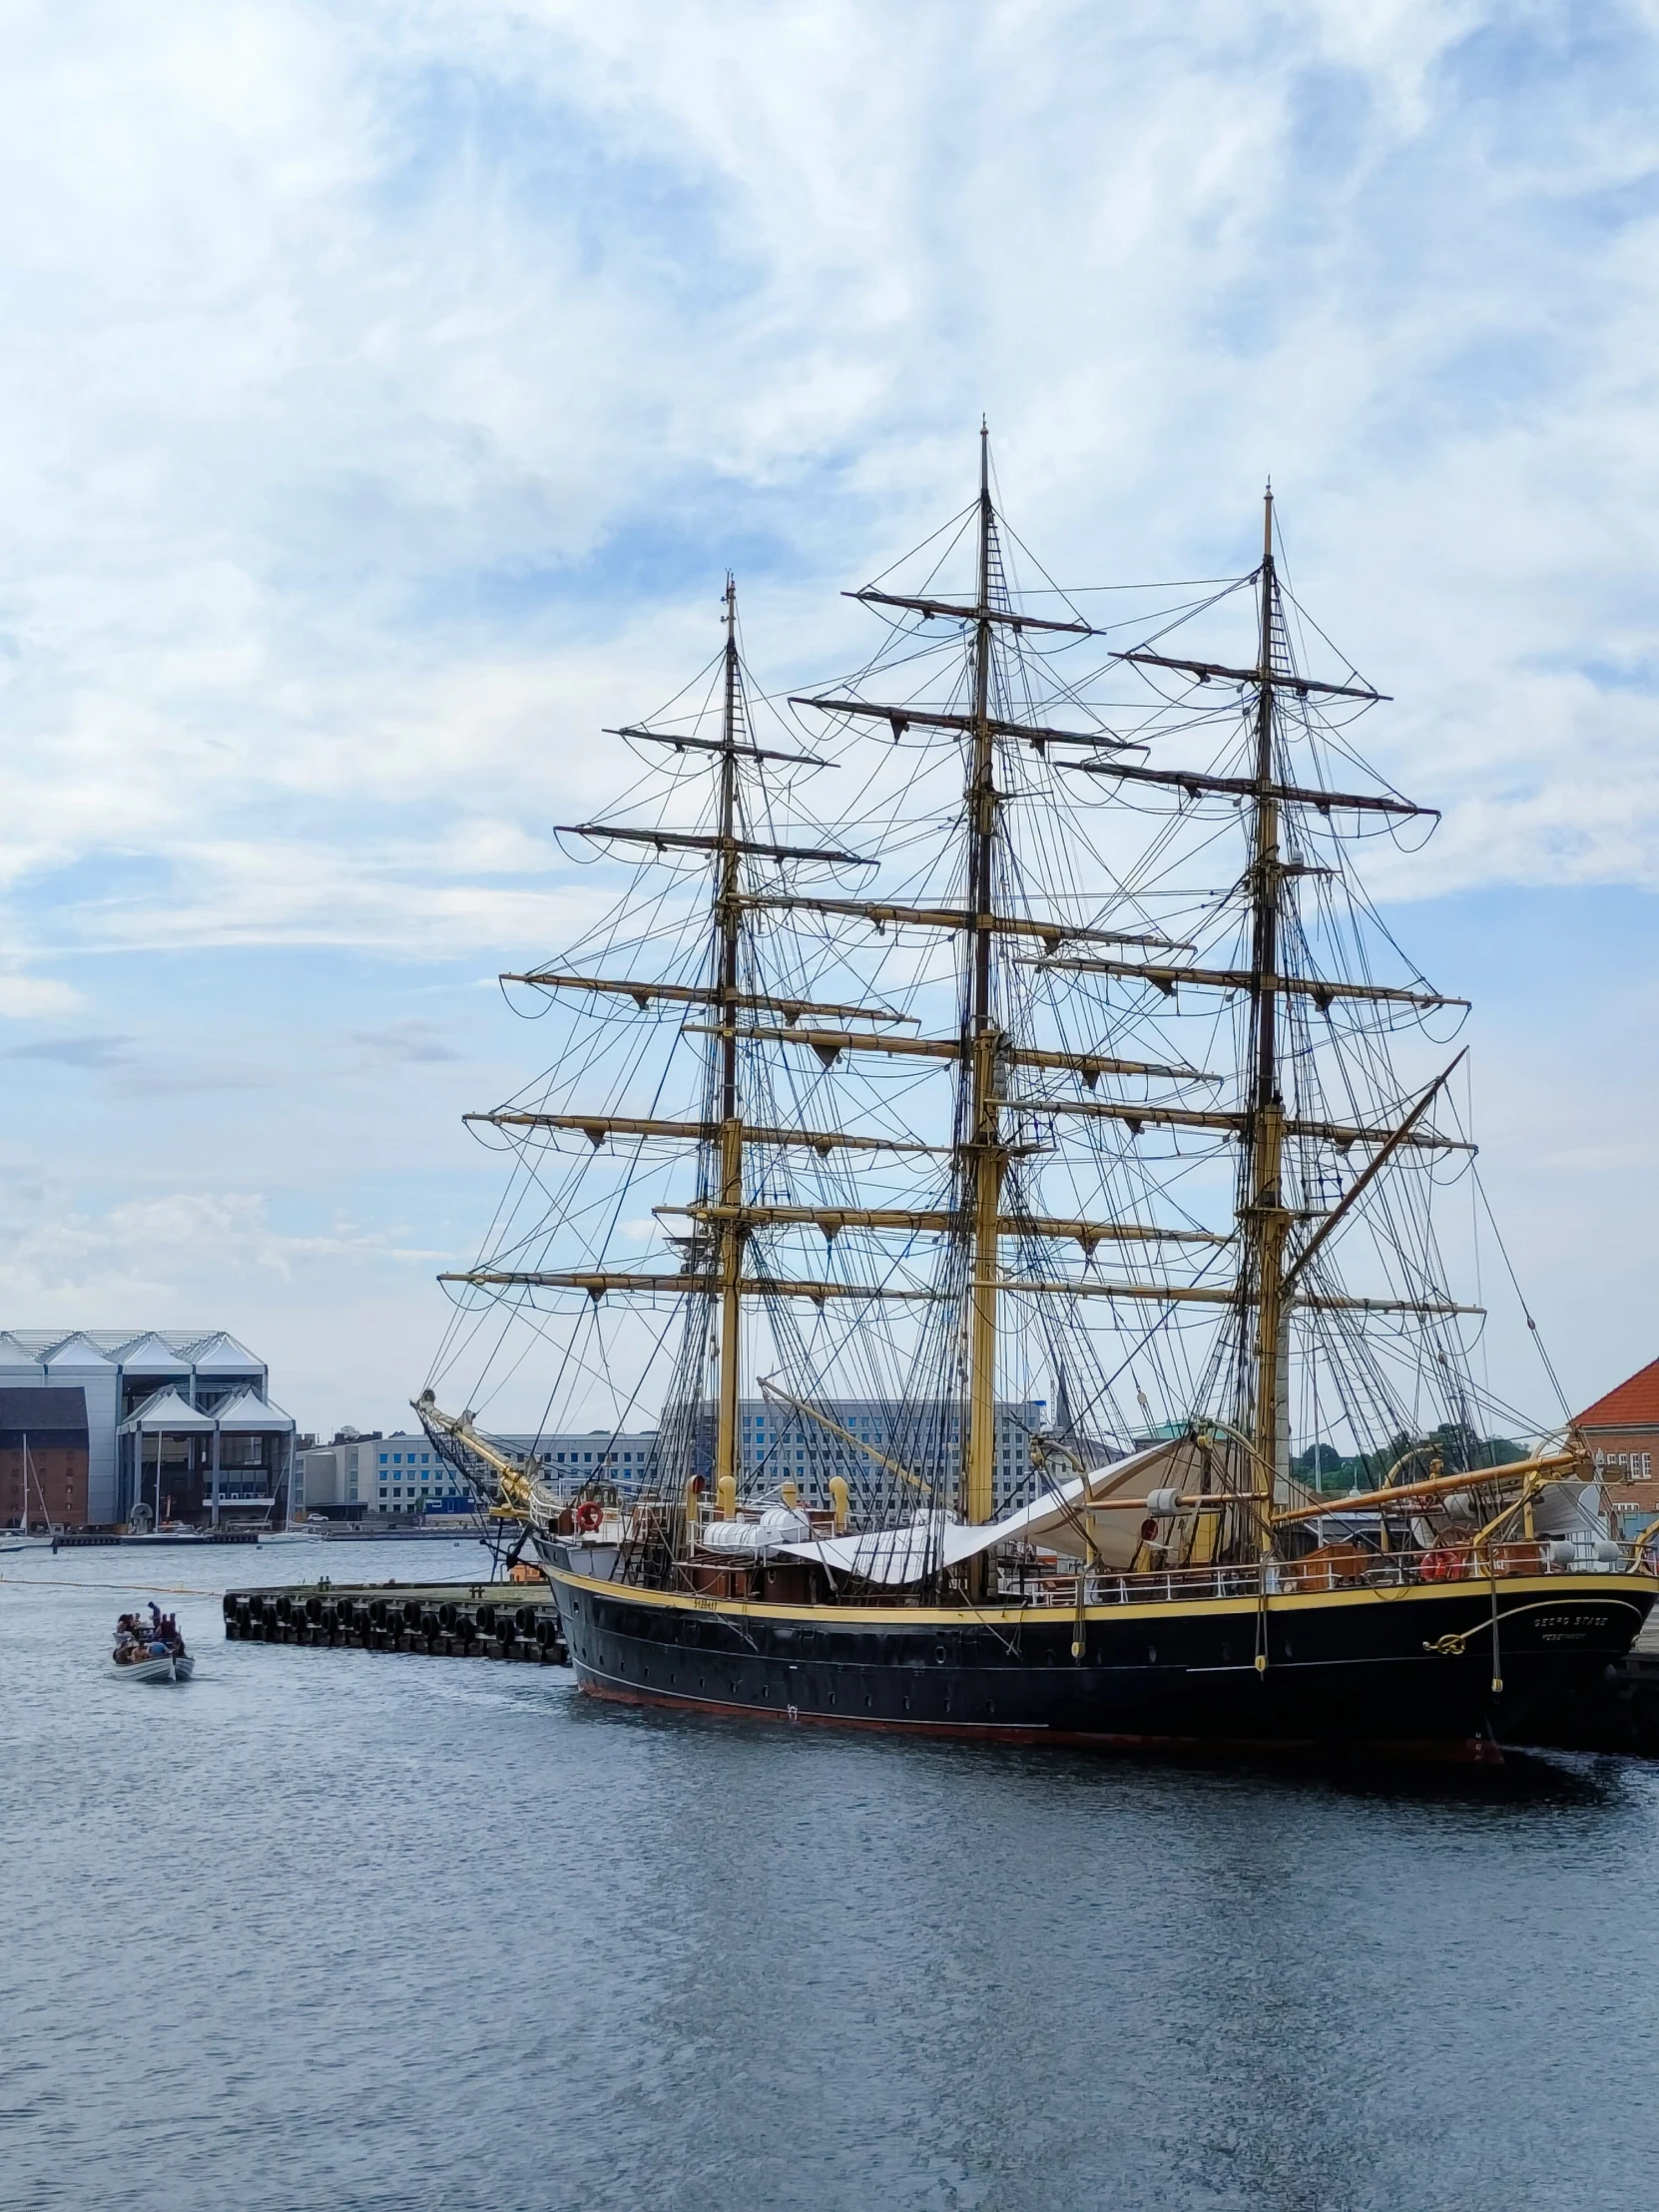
<point x="1041" y="1142"/>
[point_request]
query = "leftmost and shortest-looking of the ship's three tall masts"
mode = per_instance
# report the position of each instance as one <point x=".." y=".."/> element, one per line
<point x="731" y="1227"/>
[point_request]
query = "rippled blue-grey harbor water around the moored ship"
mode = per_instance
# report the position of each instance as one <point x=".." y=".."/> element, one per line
<point x="348" y="1932"/>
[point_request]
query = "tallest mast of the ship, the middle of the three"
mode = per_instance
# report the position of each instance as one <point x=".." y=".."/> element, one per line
<point x="985" y="1158"/>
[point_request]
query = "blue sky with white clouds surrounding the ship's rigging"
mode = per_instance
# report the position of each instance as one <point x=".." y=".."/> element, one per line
<point x="388" y="390"/>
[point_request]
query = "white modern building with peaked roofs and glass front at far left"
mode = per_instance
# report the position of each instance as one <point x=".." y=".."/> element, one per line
<point x="178" y="1421"/>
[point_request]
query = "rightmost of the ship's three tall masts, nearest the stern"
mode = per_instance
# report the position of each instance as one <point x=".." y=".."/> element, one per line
<point x="1264" y="1218"/>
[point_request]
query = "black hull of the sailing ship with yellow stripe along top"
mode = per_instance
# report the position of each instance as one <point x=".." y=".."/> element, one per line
<point x="1404" y="1671"/>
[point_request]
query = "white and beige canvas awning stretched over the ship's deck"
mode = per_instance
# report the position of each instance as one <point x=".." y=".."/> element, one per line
<point x="932" y="1541"/>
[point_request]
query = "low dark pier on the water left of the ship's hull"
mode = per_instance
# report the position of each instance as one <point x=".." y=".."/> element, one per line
<point x="446" y="1620"/>
